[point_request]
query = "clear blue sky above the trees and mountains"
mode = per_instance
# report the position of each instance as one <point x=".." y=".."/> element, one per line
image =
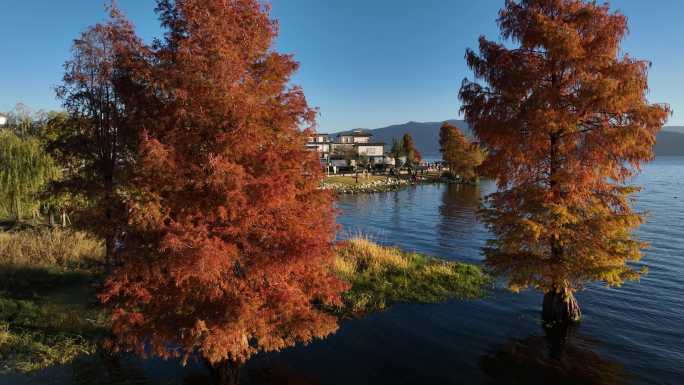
<point x="364" y="63"/>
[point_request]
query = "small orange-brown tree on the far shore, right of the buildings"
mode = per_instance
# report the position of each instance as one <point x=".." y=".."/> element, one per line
<point x="460" y="155"/>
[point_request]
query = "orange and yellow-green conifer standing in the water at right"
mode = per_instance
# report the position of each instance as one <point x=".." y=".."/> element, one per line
<point x="565" y="119"/>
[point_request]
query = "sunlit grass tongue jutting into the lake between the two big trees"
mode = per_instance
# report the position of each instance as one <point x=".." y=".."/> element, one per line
<point x="380" y="276"/>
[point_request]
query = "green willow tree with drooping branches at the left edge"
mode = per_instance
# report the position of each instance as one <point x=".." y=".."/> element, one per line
<point x="25" y="168"/>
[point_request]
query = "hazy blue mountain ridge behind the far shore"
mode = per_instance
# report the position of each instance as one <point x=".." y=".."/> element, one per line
<point x="670" y="140"/>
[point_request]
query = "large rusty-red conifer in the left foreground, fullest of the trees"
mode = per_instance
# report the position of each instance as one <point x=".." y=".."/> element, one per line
<point x="229" y="244"/>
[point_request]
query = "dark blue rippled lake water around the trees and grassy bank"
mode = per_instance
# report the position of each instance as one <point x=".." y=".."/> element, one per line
<point x="629" y="335"/>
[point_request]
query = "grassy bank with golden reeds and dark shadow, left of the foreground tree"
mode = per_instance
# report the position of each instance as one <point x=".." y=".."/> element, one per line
<point x="48" y="314"/>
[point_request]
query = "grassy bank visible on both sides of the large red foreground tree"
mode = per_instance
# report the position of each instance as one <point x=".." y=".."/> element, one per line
<point x="49" y="314"/>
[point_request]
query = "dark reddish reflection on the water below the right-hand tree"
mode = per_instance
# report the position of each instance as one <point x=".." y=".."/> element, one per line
<point x="558" y="357"/>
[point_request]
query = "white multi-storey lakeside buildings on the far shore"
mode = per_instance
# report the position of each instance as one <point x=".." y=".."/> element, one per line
<point x="347" y="148"/>
